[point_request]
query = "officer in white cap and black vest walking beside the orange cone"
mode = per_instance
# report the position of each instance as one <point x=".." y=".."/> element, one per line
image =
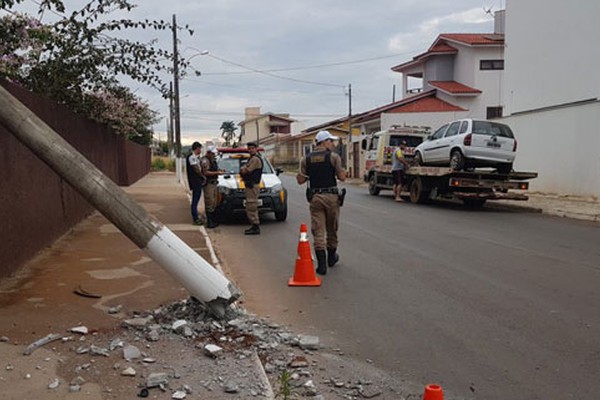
<point x="321" y="168"/>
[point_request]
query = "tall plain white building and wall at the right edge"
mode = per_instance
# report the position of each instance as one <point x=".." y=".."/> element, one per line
<point x="551" y="93"/>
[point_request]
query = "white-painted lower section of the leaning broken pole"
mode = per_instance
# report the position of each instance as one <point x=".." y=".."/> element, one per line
<point x="195" y="274"/>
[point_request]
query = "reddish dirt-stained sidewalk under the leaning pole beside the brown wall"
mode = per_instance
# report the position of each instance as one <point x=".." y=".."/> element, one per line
<point x="97" y="259"/>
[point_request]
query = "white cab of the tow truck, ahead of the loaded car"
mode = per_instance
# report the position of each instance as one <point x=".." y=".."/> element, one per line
<point x="380" y="146"/>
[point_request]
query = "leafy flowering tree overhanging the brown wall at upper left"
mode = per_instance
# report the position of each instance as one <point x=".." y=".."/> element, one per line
<point x="77" y="61"/>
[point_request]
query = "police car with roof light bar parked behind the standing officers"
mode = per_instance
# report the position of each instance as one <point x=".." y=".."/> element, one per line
<point x="231" y="195"/>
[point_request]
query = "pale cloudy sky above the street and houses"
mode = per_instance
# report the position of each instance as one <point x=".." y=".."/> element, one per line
<point x="295" y="56"/>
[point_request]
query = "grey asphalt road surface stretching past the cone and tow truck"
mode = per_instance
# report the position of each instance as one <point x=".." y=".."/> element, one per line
<point x="492" y="304"/>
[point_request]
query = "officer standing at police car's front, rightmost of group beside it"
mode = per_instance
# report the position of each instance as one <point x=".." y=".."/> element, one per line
<point x="252" y="174"/>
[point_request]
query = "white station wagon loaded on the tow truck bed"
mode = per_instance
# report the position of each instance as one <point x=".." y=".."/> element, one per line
<point x="470" y="143"/>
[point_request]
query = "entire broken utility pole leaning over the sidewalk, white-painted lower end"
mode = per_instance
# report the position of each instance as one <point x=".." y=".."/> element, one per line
<point x="193" y="272"/>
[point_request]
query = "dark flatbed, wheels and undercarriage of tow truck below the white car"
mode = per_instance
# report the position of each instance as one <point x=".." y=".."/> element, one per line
<point x="473" y="187"/>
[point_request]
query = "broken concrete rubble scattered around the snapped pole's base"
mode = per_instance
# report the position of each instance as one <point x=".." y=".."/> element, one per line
<point x="180" y="349"/>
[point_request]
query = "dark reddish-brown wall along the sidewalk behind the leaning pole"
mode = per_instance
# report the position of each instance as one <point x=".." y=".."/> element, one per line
<point x="36" y="205"/>
